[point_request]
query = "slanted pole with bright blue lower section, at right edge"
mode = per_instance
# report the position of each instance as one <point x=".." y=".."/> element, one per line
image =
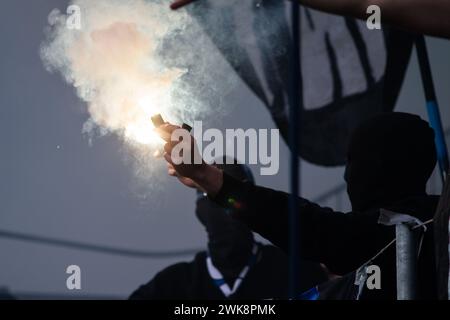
<point x="432" y="106"/>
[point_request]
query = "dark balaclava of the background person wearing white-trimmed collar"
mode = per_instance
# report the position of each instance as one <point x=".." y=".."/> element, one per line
<point x="230" y="242"/>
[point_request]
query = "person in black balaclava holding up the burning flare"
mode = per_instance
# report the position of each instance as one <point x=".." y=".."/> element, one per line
<point x="390" y="159"/>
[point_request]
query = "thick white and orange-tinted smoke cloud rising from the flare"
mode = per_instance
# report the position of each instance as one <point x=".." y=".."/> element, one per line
<point x="122" y="64"/>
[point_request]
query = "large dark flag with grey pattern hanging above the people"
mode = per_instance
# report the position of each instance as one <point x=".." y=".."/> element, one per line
<point x="349" y="73"/>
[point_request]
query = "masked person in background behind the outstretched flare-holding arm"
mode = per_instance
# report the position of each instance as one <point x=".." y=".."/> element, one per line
<point x="235" y="266"/>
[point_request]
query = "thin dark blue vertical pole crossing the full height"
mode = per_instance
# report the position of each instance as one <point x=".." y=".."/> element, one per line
<point x="295" y="99"/>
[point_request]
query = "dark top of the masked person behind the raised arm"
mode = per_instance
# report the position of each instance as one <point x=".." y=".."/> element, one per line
<point x="191" y="280"/>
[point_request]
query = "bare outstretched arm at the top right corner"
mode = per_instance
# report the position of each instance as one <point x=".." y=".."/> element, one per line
<point x="430" y="17"/>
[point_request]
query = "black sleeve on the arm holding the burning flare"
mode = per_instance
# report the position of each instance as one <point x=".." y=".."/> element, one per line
<point x="343" y="241"/>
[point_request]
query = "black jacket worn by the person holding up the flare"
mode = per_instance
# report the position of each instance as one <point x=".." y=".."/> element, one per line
<point x="342" y="241"/>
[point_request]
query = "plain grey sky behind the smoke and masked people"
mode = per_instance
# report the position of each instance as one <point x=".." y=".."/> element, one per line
<point x="52" y="183"/>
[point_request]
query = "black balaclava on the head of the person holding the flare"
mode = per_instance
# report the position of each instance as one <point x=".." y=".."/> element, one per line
<point x="390" y="158"/>
